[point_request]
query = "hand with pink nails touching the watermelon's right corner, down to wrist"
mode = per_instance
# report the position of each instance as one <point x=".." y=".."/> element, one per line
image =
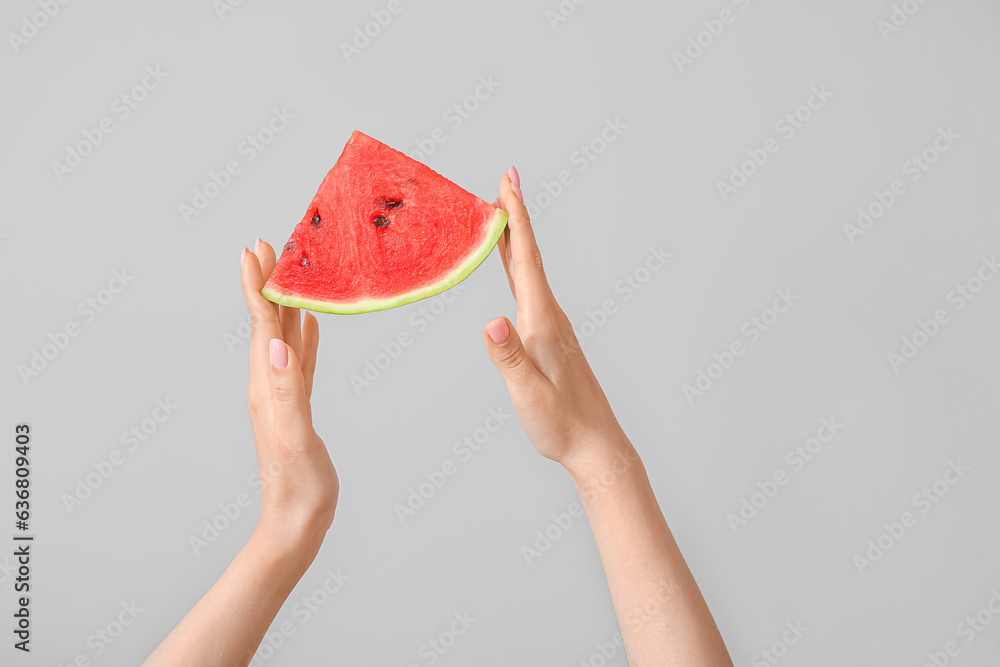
<point x="552" y="387"/>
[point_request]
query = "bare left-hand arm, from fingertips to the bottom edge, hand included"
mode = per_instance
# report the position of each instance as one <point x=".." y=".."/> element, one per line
<point x="299" y="489"/>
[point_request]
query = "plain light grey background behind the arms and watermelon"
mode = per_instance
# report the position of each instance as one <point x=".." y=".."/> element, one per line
<point x="173" y="333"/>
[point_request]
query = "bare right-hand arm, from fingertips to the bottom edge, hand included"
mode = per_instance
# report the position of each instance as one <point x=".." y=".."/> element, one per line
<point x="662" y="614"/>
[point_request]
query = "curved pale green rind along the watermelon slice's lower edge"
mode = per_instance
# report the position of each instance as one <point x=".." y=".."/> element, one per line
<point x="463" y="271"/>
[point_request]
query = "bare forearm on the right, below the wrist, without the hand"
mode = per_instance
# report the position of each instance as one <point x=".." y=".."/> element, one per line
<point x="661" y="613"/>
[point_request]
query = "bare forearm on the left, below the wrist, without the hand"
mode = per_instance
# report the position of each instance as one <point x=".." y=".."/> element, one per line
<point x="228" y="623"/>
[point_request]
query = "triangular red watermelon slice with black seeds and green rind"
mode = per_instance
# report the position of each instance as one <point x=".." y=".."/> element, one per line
<point x="382" y="231"/>
